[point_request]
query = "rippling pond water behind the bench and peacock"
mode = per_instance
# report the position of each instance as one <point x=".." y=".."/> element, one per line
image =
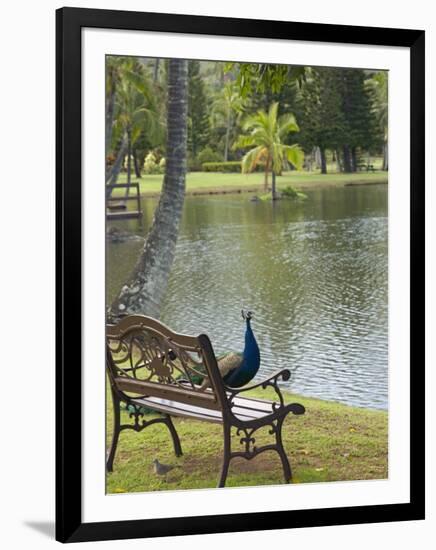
<point x="315" y="274"/>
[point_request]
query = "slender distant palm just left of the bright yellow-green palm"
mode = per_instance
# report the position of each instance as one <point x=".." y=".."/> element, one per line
<point x="226" y="108"/>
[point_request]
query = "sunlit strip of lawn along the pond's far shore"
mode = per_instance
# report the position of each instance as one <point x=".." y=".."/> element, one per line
<point x="211" y="182"/>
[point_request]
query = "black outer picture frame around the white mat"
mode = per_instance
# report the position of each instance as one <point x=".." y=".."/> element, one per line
<point x="69" y="22"/>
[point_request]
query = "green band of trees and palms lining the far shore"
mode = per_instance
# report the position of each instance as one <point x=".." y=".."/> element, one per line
<point x="337" y="116"/>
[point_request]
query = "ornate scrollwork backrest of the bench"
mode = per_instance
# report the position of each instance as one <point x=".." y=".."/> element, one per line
<point x="146" y="358"/>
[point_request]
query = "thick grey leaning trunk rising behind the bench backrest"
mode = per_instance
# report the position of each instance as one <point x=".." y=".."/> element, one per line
<point x="146" y="287"/>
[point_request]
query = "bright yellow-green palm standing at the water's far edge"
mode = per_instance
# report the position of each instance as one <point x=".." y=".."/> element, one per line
<point x="267" y="132"/>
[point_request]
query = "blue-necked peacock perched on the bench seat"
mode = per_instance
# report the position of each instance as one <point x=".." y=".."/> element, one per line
<point x="237" y="369"/>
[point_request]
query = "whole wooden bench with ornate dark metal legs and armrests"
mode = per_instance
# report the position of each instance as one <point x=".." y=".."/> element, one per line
<point x="150" y="366"/>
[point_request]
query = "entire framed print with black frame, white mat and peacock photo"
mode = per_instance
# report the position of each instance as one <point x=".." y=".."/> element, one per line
<point x="240" y="274"/>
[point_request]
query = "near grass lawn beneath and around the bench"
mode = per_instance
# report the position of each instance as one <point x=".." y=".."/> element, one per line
<point x="331" y="442"/>
